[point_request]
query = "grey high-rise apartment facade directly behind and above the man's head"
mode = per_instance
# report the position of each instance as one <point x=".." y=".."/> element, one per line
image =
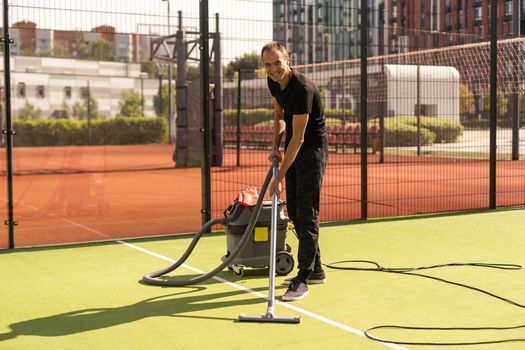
<point x="323" y="30"/>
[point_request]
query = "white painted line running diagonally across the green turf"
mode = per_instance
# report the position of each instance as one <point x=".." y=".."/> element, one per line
<point x="261" y="295"/>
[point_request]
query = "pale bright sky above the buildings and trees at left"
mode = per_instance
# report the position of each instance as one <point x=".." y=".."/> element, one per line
<point x="245" y="24"/>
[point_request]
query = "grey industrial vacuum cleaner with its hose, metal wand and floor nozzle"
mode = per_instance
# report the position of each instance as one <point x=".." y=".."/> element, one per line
<point x="255" y="237"/>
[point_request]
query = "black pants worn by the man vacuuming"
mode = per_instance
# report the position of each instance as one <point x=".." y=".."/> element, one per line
<point x="303" y="191"/>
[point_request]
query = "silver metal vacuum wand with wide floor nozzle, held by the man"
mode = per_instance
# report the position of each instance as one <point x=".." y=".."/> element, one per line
<point x="269" y="316"/>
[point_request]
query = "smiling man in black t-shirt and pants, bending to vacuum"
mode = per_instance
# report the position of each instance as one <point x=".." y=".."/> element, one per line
<point x="299" y="112"/>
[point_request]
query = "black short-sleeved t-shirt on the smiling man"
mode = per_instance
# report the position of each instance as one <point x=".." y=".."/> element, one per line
<point x="301" y="96"/>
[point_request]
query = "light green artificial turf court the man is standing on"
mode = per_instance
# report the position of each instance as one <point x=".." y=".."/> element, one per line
<point x="90" y="296"/>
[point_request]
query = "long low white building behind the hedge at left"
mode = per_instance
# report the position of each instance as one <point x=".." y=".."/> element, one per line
<point x="49" y="83"/>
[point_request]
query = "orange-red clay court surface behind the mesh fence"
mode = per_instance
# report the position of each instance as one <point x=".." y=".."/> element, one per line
<point x="80" y="193"/>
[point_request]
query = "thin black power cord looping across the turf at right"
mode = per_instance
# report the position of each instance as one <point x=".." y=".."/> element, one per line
<point x="375" y="267"/>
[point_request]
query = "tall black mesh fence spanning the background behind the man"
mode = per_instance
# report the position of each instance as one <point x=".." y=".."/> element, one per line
<point x="107" y="109"/>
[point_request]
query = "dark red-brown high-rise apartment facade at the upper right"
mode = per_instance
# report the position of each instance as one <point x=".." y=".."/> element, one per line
<point x="426" y="24"/>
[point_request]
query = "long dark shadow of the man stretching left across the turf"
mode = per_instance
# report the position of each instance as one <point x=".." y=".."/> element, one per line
<point x="174" y="305"/>
